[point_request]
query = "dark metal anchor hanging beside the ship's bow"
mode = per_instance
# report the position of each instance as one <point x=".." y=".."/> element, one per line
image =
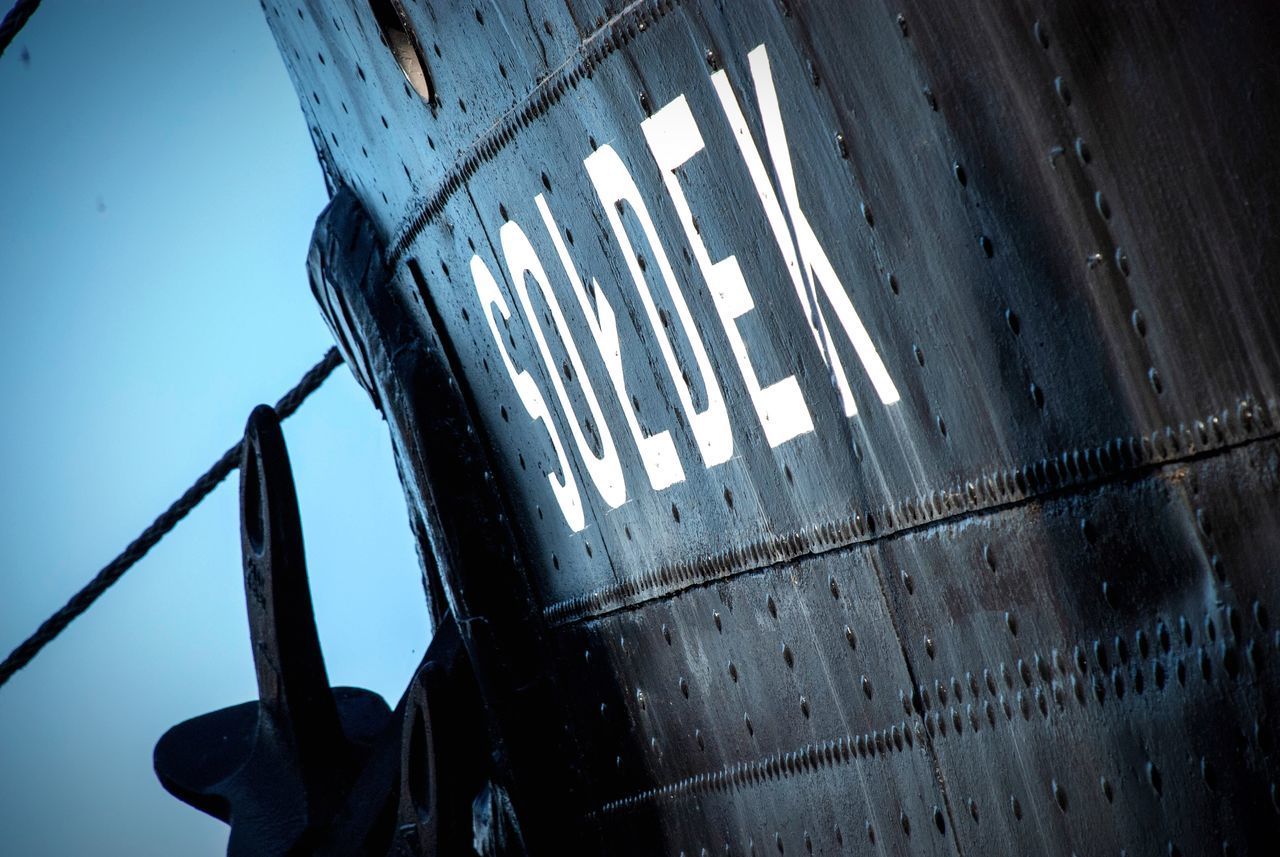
<point x="313" y="769"/>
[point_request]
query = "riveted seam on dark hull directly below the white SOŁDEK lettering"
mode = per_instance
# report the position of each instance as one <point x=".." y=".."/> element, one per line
<point x="1071" y="470"/>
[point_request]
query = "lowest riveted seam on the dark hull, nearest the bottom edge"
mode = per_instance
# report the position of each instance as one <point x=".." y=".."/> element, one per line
<point x="885" y="743"/>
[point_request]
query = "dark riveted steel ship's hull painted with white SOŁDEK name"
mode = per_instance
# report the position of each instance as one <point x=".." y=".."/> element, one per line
<point x="848" y="369"/>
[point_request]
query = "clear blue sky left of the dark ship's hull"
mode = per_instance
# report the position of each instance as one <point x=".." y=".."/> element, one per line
<point x="158" y="191"/>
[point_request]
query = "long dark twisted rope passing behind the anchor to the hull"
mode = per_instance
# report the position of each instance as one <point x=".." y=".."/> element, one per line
<point x="159" y="529"/>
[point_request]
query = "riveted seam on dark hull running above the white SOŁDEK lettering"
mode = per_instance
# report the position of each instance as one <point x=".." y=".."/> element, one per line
<point x="620" y="31"/>
